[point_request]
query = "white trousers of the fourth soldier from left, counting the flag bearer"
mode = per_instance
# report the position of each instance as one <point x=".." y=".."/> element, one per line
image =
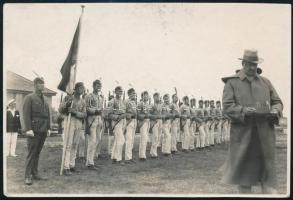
<point x="129" y="139"/>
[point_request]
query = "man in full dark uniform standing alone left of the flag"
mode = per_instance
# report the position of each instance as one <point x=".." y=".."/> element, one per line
<point x="36" y="116"/>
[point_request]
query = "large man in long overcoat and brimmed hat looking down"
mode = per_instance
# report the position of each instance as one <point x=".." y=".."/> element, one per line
<point x="253" y="105"/>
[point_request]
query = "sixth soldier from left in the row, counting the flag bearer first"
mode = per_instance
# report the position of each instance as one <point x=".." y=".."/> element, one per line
<point x="156" y="122"/>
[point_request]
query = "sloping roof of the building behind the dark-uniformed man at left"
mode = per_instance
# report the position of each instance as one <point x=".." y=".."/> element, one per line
<point x="21" y="84"/>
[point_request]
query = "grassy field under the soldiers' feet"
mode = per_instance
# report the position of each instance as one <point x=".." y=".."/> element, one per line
<point x="187" y="173"/>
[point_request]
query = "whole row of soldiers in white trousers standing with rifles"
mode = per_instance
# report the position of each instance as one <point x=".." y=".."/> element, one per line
<point x="163" y="123"/>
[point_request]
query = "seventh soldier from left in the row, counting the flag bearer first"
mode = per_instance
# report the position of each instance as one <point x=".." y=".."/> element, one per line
<point x="167" y="117"/>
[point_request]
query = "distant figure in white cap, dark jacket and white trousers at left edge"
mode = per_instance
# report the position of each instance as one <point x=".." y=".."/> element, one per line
<point x="12" y="127"/>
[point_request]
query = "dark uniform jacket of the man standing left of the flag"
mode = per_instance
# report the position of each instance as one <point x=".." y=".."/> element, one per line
<point x="36" y="113"/>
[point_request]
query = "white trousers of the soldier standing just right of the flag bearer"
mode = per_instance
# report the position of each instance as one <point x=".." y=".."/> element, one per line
<point x="94" y="139"/>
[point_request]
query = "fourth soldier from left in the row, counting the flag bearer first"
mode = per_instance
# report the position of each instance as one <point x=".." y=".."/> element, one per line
<point x="130" y="125"/>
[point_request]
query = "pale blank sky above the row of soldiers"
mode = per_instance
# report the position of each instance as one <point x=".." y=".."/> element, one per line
<point x="153" y="47"/>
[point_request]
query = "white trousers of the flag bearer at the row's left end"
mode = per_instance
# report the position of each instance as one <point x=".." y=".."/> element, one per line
<point x="73" y="137"/>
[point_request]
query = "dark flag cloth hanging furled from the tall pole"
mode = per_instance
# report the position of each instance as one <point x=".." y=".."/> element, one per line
<point x="67" y="82"/>
